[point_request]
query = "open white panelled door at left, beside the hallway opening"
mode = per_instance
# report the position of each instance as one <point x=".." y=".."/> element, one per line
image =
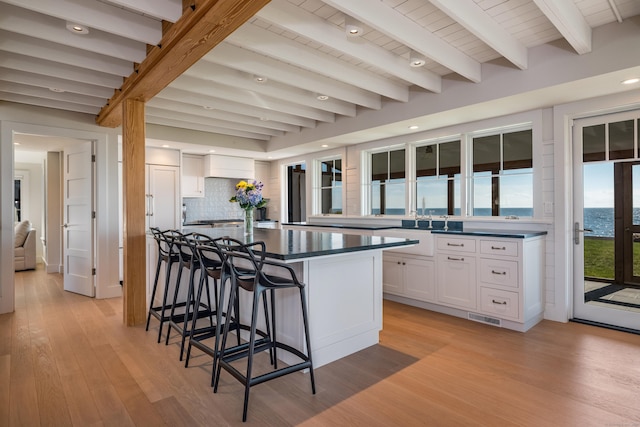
<point x="77" y="219"/>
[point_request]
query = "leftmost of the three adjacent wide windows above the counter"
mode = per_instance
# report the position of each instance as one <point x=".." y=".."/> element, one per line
<point x="387" y="182"/>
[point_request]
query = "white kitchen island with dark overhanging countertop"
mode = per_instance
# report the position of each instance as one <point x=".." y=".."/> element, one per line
<point x="343" y="274"/>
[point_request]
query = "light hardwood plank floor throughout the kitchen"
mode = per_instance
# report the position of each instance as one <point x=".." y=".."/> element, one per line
<point x="68" y="360"/>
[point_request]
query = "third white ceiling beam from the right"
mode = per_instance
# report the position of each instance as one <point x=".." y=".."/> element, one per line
<point x="385" y="19"/>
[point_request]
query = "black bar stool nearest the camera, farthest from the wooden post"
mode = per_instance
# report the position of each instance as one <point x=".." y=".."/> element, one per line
<point x="254" y="279"/>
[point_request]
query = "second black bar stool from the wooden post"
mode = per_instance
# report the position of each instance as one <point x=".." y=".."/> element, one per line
<point x="194" y="309"/>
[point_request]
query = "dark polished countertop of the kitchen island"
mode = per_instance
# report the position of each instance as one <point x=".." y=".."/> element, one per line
<point x="296" y="244"/>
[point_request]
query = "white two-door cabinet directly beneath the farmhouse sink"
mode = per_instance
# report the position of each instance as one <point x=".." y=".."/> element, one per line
<point x="409" y="276"/>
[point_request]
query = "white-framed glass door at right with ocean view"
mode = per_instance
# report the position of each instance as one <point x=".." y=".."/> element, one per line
<point x="607" y="220"/>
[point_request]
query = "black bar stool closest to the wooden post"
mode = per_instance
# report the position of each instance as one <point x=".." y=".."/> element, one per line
<point x="165" y="254"/>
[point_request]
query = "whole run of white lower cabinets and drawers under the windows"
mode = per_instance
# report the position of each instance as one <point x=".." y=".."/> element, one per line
<point x="495" y="280"/>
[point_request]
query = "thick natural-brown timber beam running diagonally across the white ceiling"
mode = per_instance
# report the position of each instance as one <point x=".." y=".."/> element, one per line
<point x="188" y="40"/>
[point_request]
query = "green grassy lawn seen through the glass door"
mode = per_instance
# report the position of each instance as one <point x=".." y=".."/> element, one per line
<point x="599" y="258"/>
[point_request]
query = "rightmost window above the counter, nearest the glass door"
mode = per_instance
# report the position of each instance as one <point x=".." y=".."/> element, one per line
<point x="502" y="179"/>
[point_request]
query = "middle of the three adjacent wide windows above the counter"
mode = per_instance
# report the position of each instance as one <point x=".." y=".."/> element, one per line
<point x="438" y="178"/>
